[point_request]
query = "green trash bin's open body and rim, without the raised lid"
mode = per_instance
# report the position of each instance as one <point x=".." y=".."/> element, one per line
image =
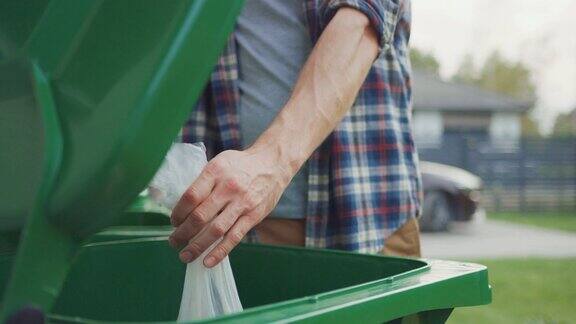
<point x="140" y="280"/>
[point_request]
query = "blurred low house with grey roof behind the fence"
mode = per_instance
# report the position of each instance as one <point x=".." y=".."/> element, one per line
<point x="447" y="109"/>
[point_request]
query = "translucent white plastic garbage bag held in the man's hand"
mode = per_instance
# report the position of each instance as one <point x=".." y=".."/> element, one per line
<point x="207" y="292"/>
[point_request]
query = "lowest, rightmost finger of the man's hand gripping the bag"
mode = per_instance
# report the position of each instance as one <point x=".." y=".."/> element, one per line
<point x="232" y="238"/>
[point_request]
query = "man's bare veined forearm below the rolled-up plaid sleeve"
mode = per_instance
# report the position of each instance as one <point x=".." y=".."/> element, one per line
<point x="325" y="90"/>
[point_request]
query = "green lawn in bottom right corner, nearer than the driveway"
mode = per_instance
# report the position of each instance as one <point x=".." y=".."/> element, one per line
<point x="530" y="291"/>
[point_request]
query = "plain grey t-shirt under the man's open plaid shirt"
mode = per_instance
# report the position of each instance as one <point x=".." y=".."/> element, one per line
<point x="273" y="44"/>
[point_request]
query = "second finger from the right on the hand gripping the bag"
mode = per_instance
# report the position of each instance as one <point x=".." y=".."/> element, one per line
<point x="211" y="233"/>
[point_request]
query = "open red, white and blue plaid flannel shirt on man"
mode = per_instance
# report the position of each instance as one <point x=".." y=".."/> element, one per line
<point x="363" y="180"/>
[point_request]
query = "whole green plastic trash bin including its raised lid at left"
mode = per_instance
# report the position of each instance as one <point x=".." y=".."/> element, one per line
<point x="92" y="93"/>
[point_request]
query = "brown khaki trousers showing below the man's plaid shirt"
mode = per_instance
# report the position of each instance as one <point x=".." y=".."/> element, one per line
<point x="404" y="242"/>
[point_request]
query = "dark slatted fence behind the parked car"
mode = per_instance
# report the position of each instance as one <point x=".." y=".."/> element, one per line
<point x="529" y="175"/>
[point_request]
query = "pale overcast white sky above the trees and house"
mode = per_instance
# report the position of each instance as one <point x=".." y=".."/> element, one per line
<point x="539" y="33"/>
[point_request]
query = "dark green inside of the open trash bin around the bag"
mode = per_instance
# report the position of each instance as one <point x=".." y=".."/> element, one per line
<point x="141" y="280"/>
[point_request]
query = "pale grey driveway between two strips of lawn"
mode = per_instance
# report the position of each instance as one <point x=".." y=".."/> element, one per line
<point x="494" y="239"/>
